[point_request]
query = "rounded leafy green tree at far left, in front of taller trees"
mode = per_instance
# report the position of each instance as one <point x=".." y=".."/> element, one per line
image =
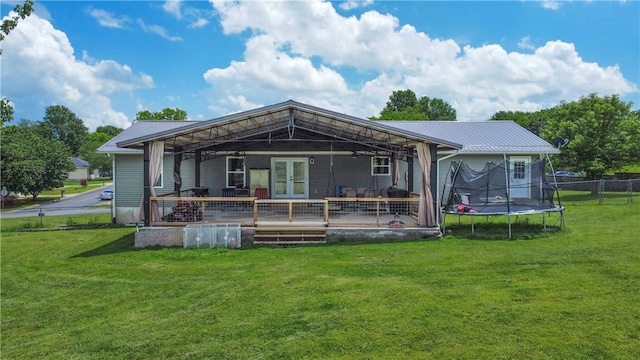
<point x="31" y="163"/>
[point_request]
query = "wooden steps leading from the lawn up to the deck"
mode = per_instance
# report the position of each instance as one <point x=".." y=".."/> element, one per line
<point x="285" y="235"/>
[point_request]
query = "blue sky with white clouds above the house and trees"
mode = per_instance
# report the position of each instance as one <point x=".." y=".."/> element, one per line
<point x="108" y="60"/>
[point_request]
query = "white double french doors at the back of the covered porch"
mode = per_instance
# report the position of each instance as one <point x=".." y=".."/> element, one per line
<point x="290" y="178"/>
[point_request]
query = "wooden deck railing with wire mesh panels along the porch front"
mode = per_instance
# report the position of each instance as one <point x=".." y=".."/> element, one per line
<point x="249" y="211"/>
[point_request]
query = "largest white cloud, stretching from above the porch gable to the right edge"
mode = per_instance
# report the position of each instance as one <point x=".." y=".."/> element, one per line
<point x="288" y="59"/>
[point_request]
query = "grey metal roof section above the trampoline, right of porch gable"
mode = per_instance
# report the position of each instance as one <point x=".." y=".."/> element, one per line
<point x="488" y="137"/>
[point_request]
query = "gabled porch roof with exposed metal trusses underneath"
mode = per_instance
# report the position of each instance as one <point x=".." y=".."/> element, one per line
<point x="285" y="122"/>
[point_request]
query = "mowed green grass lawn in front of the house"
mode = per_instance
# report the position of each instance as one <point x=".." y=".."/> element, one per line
<point x="88" y="294"/>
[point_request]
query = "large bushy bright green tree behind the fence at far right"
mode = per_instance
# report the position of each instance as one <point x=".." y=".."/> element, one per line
<point x="603" y="134"/>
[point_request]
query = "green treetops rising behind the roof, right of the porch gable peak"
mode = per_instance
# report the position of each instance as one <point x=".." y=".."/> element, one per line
<point x="404" y="105"/>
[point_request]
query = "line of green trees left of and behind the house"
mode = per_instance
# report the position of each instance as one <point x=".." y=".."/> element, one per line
<point x="37" y="155"/>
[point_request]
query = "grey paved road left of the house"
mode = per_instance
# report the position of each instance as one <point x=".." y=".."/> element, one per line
<point x="68" y="205"/>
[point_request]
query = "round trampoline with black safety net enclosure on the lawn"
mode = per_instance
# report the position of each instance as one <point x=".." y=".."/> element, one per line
<point x="514" y="187"/>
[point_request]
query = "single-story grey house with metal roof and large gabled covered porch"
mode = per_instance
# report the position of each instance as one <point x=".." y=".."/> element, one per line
<point x="293" y="163"/>
